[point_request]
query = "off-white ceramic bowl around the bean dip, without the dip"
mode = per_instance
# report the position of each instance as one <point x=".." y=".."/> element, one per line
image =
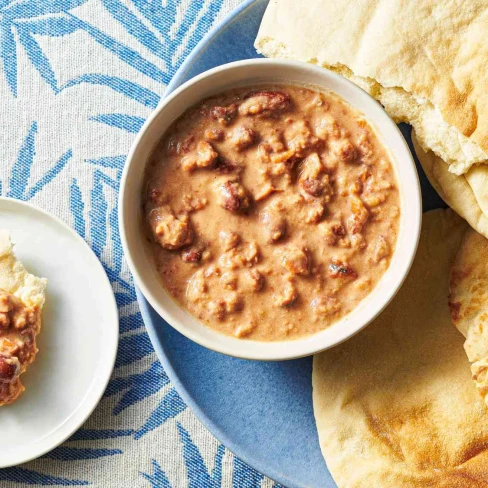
<point x="250" y="72"/>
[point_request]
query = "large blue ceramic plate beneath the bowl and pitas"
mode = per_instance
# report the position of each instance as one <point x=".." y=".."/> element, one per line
<point x="260" y="411"/>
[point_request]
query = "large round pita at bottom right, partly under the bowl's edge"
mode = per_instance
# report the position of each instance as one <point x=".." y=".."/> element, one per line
<point x="395" y="405"/>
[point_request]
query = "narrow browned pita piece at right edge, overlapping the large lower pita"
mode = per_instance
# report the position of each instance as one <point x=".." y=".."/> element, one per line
<point x="468" y="301"/>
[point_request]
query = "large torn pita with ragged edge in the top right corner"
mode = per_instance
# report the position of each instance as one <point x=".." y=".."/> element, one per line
<point x="424" y="61"/>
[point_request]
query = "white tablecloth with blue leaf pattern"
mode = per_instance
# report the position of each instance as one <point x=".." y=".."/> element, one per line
<point x="77" y="80"/>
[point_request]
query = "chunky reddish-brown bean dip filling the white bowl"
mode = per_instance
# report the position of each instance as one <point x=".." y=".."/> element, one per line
<point x="271" y="211"/>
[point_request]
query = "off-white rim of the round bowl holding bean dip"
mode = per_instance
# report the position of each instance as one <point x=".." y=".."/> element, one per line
<point x="294" y="351"/>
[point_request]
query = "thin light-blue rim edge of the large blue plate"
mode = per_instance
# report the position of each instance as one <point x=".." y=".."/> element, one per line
<point x="146" y="310"/>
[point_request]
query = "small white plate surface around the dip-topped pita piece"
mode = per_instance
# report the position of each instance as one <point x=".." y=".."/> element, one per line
<point x="77" y="343"/>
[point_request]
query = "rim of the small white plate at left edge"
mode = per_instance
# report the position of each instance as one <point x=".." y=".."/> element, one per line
<point x="98" y="387"/>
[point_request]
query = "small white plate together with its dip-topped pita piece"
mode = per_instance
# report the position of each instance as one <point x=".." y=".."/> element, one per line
<point x="79" y="337"/>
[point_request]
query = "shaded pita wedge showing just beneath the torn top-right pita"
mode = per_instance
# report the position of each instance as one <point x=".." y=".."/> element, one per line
<point x="457" y="191"/>
